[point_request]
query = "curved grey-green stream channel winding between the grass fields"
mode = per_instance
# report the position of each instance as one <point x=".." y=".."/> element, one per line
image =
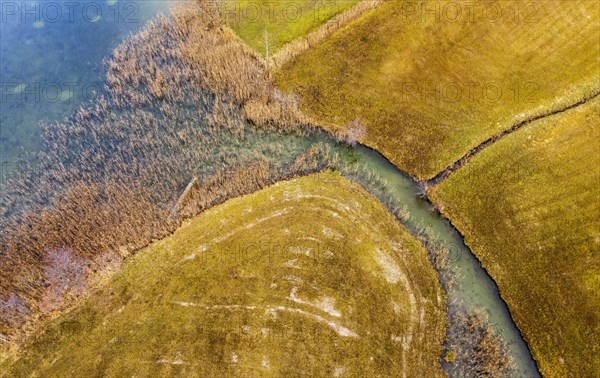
<point x="472" y="289"/>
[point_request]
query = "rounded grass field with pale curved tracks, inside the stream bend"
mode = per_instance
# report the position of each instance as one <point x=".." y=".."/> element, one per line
<point x="308" y="277"/>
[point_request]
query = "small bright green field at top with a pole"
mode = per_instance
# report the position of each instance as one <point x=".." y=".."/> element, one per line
<point x="283" y="20"/>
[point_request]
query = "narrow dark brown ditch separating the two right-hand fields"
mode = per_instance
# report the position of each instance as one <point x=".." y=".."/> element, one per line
<point x="445" y="173"/>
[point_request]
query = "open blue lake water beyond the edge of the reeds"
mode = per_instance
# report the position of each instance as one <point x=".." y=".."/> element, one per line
<point x="51" y="56"/>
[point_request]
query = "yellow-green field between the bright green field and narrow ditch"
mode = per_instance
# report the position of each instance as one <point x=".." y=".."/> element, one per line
<point x="432" y="84"/>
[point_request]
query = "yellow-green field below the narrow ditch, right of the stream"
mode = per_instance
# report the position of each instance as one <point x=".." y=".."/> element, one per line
<point x="529" y="207"/>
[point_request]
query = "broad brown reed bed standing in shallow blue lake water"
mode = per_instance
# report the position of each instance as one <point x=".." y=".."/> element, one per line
<point x="173" y="110"/>
